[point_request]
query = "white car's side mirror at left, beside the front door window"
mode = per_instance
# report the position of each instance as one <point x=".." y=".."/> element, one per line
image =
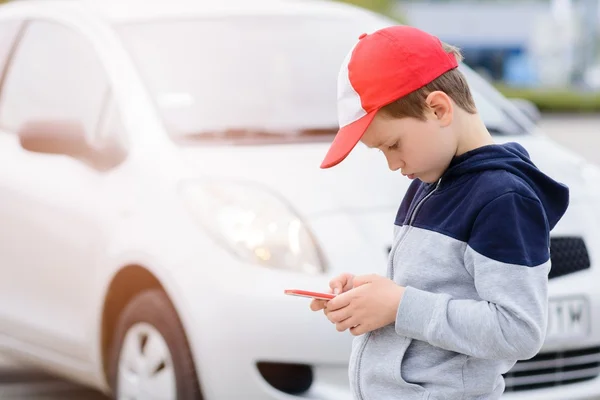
<point x="54" y="137"/>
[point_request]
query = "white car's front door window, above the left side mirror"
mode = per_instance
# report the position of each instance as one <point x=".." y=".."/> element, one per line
<point x="54" y="75"/>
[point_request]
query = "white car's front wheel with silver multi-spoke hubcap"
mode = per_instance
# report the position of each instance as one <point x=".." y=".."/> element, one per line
<point x="150" y="357"/>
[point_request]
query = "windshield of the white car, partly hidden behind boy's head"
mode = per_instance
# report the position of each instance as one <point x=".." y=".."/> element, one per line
<point x="254" y="77"/>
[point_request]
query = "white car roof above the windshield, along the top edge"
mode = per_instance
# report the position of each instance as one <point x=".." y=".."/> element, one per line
<point x="124" y="11"/>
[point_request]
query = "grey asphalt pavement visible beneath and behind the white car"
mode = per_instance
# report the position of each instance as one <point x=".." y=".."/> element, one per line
<point x="579" y="133"/>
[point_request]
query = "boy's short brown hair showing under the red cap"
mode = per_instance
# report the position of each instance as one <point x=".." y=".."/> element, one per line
<point x="453" y="83"/>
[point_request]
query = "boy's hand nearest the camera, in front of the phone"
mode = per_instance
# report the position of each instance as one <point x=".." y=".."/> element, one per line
<point x="371" y="304"/>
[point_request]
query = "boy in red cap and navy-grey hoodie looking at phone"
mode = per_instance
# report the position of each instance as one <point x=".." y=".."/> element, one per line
<point x="466" y="292"/>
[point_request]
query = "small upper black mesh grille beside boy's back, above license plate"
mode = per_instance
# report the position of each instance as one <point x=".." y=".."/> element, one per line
<point x="568" y="255"/>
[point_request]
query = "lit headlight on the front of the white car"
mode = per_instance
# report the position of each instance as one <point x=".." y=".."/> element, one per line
<point x="254" y="224"/>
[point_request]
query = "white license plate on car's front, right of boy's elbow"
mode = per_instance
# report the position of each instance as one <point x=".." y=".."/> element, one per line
<point x="568" y="318"/>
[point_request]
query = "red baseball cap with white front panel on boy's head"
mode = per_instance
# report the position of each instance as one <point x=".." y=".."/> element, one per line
<point x="381" y="68"/>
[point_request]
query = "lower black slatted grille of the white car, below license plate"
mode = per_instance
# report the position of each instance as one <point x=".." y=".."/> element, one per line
<point x="554" y="369"/>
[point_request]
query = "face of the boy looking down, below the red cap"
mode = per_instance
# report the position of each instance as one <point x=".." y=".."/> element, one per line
<point x="420" y="149"/>
